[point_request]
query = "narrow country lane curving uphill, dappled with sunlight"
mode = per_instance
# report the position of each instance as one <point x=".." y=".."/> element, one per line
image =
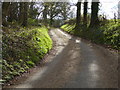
<point x="75" y="63"/>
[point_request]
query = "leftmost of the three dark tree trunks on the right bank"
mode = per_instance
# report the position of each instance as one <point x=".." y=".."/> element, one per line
<point x="78" y="17"/>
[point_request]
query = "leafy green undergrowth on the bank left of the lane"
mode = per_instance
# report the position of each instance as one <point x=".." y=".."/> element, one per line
<point x="23" y="48"/>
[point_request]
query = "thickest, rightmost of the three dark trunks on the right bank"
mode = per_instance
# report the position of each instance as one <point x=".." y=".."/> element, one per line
<point x="94" y="15"/>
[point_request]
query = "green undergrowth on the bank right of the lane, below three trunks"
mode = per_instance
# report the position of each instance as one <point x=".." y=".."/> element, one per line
<point x="107" y="33"/>
